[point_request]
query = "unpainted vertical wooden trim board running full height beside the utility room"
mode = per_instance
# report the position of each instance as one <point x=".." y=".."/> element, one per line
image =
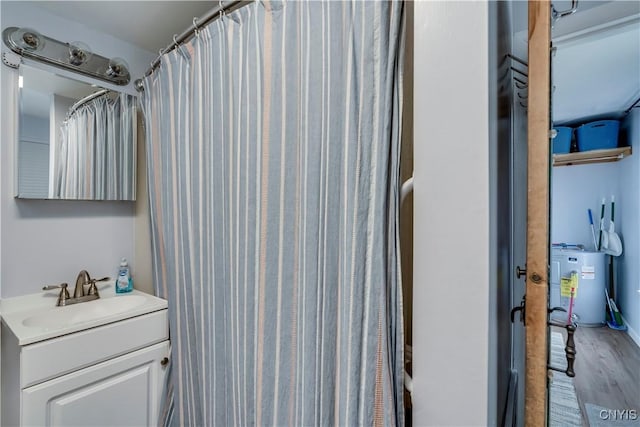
<point x="537" y="213"/>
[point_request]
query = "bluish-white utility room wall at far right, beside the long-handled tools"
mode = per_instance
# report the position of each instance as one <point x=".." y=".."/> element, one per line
<point x="628" y="265"/>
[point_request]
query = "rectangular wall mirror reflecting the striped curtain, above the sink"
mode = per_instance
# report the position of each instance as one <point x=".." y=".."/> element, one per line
<point x="75" y="141"/>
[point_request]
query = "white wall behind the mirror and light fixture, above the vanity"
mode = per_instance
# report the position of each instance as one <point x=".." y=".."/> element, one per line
<point x="50" y="241"/>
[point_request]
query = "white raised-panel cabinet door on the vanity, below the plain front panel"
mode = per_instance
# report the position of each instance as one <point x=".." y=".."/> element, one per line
<point x="124" y="391"/>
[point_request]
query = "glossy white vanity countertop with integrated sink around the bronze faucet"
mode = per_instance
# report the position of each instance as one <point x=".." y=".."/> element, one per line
<point x="35" y="317"/>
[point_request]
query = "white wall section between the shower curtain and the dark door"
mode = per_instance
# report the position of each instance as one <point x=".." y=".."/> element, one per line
<point x="451" y="188"/>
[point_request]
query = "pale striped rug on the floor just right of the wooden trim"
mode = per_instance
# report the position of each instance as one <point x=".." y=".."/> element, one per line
<point x="564" y="410"/>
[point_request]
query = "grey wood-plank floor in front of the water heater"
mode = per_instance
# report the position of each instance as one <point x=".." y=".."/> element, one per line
<point x="607" y="369"/>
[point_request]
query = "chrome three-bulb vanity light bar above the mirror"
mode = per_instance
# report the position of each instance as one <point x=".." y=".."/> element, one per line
<point x="74" y="56"/>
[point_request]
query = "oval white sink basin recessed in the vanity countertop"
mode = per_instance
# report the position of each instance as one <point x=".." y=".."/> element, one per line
<point x="83" y="312"/>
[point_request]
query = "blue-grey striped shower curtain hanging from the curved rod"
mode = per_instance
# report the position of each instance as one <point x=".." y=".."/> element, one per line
<point x="273" y="145"/>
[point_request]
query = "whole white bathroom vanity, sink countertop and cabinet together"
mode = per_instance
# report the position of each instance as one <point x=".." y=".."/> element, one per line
<point x="102" y="362"/>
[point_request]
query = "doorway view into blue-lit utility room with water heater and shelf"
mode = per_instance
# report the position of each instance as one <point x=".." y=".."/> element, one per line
<point x="595" y="87"/>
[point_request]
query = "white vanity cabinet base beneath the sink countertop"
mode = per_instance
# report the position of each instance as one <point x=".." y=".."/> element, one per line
<point x="112" y="374"/>
